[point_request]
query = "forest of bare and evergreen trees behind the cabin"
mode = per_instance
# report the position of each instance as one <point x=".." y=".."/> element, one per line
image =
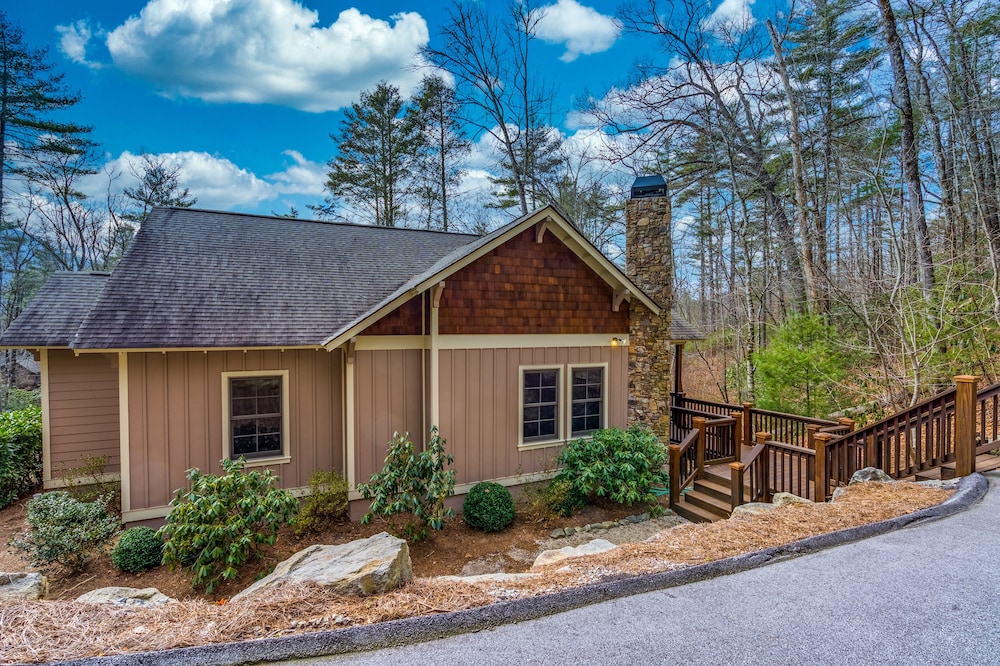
<point x="833" y="166"/>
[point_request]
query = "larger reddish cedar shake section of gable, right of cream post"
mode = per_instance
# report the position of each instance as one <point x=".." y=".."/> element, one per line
<point x="523" y="287"/>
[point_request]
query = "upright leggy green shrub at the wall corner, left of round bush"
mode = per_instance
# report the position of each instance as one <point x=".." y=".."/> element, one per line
<point x="412" y="484"/>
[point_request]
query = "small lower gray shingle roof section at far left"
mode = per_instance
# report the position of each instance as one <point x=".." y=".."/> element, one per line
<point x="54" y="315"/>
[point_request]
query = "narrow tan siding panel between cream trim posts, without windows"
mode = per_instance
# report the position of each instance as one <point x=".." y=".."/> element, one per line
<point x="388" y="399"/>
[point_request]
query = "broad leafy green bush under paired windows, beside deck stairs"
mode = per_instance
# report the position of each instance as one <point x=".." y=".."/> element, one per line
<point x="619" y="464"/>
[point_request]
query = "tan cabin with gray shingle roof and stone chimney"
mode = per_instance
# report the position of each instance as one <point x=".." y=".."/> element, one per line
<point x="304" y="345"/>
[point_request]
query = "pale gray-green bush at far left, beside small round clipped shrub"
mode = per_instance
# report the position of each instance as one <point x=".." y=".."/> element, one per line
<point x="64" y="530"/>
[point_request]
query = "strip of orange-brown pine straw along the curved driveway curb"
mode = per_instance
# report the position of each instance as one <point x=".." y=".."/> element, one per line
<point x="38" y="631"/>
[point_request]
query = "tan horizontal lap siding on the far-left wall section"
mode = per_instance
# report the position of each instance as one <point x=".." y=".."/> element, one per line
<point x="83" y="410"/>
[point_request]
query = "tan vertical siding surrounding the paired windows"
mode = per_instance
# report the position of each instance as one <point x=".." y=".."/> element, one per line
<point x="479" y="406"/>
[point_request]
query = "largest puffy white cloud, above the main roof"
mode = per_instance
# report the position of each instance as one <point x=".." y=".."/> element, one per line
<point x="266" y="52"/>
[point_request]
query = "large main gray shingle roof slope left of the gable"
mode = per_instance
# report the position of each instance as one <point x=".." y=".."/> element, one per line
<point x="210" y="279"/>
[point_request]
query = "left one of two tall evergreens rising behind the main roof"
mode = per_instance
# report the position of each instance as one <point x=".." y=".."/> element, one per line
<point x="377" y="146"/>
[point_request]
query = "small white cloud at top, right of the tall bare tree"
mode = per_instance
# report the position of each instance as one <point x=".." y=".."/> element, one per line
<point x="582" y="29"/>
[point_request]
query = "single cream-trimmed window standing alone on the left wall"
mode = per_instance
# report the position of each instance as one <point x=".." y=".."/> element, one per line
<point x="256" y="423"/>
